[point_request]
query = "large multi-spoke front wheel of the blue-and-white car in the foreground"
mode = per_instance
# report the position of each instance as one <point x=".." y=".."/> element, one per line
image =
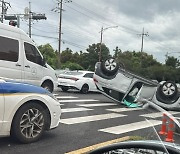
<point x="29" y="123"/>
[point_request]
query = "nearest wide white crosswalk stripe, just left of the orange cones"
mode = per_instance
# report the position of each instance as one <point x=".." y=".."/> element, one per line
<point x="130" y="127"/>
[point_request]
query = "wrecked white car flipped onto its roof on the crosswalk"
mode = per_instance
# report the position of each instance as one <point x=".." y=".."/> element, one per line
<point x="122" y="86"/>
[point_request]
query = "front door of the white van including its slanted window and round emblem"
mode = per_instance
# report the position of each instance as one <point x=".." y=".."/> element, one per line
<point x="33" y="65"/>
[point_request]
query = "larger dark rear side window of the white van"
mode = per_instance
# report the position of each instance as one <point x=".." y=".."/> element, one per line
<point x="9" y="49"/>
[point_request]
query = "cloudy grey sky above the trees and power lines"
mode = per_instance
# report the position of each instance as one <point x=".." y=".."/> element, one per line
<point x="83" y="19"/>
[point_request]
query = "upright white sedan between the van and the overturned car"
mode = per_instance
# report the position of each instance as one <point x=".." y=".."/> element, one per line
<point x="80" y="80"/>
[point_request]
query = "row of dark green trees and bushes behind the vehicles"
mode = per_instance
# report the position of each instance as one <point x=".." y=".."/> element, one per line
<point x="137" y="62"/>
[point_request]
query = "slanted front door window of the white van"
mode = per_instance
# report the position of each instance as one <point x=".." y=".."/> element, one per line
<point x="32" y="54"/>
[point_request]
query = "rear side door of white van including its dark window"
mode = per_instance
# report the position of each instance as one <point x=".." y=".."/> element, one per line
<point x="10" y="58"/>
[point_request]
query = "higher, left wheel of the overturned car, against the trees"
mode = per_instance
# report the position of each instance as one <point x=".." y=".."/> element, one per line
<point x="109" y="66"/>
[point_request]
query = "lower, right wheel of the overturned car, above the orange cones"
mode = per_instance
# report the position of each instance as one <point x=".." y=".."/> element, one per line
<point x="168" y="89"/>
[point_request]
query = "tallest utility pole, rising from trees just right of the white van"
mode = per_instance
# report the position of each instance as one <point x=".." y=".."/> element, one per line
<point x="59" y="9"/>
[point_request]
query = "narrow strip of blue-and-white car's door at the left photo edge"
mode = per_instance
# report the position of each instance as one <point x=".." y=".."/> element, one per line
<point x="1" y="106"/>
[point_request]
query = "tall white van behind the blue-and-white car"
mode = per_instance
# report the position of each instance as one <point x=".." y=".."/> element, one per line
<point x="20" y="59"/>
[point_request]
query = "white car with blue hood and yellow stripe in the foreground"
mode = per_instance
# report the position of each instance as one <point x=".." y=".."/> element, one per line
<point x="26" y="111"/>
